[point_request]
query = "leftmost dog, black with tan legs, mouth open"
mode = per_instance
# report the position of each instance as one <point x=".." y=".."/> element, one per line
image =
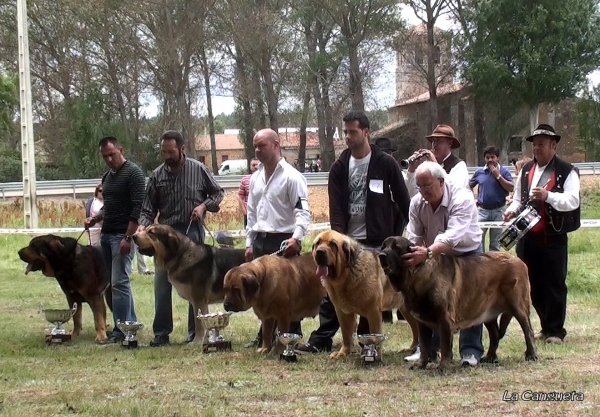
<point x="80" y="271"/>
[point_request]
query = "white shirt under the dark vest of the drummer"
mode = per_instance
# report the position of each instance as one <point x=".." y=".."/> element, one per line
<point x="565" y="201"/>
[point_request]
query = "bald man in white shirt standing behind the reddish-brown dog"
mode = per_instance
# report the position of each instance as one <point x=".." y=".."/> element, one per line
<point x="278" y="212"/>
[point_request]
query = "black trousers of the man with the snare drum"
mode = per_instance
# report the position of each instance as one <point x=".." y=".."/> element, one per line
<point x="546" y="258"/>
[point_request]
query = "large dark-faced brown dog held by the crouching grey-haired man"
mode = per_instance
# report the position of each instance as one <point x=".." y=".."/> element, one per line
<point x="452" y="293"/>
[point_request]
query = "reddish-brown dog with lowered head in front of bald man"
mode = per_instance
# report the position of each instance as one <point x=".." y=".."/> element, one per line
<point x="278" y="289"/>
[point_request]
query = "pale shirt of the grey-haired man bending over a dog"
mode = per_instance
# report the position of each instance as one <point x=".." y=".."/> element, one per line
<point x="453" y="223"/>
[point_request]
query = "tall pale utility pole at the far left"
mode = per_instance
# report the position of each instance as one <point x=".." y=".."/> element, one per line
<point x="30" y="212"/>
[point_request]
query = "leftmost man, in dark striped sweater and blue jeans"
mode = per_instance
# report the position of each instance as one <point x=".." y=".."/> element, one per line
<point x="123" y="191"/>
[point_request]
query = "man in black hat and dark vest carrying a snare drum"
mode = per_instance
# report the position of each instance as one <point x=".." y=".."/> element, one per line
<point x="551" y="186"/>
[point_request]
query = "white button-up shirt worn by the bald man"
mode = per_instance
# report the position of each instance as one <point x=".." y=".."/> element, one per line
<point x="279" y="205"/>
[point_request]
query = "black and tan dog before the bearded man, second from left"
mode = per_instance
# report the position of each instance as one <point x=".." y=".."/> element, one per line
<point x="196" y="271"/>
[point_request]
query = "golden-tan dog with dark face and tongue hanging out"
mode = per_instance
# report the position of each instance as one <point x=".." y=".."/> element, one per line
<point x="356" y="284"/>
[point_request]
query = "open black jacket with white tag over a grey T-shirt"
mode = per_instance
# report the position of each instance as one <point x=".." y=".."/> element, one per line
<point x="379" y="212"/>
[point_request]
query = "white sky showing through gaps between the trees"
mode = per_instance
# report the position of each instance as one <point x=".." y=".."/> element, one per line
<point x="385" y="86"/>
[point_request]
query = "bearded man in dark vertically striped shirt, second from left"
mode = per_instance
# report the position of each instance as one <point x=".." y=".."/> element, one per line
<point x="181" y="190"/>
